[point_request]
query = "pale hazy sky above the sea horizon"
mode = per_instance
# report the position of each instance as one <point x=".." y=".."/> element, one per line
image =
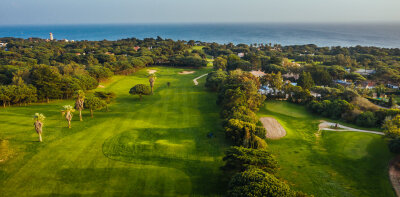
<point x="195" y="11"/>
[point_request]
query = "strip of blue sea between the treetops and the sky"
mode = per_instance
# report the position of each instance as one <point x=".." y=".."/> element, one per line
<point x="381" y="35"/>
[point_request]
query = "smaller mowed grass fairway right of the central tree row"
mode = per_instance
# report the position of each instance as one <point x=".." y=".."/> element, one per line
<point x="328" y="163"/>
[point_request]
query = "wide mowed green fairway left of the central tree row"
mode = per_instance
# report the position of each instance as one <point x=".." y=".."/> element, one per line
<point x="154" y="147"/>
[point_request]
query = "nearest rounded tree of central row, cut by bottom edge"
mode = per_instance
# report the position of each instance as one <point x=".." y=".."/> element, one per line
<point x="256" y="182"/>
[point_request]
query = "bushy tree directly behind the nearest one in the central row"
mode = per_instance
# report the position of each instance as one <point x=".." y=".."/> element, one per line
<point x="239" y="159"/>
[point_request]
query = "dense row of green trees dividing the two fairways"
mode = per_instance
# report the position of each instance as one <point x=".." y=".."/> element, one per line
<point x="249" y="167"/>
